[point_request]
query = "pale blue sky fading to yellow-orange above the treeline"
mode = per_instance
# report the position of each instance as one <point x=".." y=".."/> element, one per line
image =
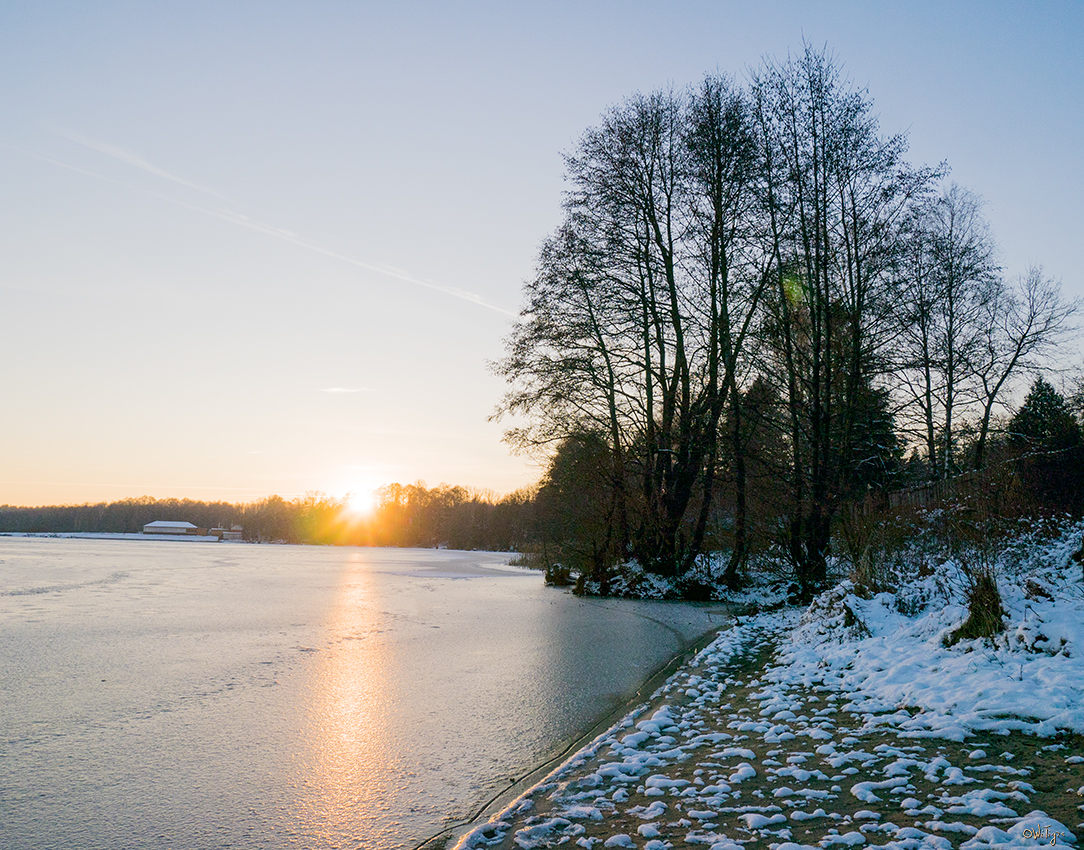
<point x="270" y="248"/>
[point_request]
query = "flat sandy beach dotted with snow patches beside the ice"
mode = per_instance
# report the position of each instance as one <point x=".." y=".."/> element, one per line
<point x="738" y="751"/>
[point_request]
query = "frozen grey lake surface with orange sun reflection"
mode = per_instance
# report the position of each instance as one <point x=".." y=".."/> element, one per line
<point x="196" y="696"/>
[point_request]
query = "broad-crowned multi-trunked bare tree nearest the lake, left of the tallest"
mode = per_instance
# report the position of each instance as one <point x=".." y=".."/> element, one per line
<point x="642" y="306"/>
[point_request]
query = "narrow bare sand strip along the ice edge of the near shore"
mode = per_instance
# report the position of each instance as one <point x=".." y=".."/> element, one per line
<point x="454" y="834"/>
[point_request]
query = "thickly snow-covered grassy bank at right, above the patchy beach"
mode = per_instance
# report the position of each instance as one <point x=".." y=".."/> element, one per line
<point x="888" y="653"/>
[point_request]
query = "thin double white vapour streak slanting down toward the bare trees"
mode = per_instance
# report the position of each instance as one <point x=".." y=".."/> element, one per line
<point x="270" y="230"/>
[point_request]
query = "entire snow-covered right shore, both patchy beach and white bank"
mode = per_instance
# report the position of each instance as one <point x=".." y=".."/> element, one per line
<point x="849" y="724"/>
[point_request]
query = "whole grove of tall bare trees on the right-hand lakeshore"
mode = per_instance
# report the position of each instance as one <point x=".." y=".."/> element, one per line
<point x="755" y="310"/>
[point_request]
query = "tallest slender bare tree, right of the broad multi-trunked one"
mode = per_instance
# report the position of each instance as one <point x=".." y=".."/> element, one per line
<point x="837" y="192"/>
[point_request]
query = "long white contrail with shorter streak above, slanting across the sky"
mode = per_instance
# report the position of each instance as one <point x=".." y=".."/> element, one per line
<point x="237" y="218"/>
